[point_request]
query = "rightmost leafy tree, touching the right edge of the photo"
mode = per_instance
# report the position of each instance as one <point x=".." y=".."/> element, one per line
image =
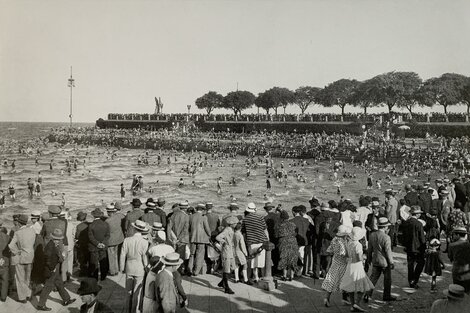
<point x="445" y="90"/>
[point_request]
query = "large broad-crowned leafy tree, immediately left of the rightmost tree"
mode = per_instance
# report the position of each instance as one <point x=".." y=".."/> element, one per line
<point x="393" y="87"/>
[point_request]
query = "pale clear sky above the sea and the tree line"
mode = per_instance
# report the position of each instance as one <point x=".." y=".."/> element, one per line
<point x="124" y="53"/>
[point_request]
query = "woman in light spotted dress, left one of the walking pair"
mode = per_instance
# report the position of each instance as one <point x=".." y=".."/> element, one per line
<point x="339" y="262"/>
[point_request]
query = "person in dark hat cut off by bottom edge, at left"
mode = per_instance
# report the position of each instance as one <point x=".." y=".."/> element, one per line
<point x="88" y="292"/>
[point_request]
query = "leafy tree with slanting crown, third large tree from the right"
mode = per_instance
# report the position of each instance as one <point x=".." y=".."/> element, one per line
<point x="337" y="93"/>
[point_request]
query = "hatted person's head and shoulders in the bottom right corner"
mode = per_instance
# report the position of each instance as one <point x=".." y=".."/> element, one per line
<point x="456" y="301"/>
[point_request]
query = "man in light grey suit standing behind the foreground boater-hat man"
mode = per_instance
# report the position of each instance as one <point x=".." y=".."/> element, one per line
<point x="178" y="231"/>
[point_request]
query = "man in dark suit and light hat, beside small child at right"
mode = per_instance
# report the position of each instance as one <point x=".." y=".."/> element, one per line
<point x="414" y="242"/>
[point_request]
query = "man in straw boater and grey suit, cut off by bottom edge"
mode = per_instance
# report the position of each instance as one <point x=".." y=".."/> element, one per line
<point x="166" y="293"/>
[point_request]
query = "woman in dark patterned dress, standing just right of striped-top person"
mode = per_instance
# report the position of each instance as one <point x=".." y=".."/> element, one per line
<point x="288" y="249"/>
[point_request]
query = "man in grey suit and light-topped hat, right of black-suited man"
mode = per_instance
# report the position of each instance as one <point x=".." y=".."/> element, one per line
<point x="116" y="237"/>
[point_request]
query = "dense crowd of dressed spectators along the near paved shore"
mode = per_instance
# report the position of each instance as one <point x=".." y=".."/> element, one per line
<point x="336" y="241"/>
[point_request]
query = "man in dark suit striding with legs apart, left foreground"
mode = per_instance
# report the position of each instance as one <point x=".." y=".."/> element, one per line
<point x="54" y="256"/>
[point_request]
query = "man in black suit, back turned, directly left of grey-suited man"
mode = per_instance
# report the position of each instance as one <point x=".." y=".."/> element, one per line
<point x="98" y="236"/>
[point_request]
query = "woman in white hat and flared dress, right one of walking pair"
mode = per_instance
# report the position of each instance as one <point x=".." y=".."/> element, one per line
<point x="355" y="280"/>
